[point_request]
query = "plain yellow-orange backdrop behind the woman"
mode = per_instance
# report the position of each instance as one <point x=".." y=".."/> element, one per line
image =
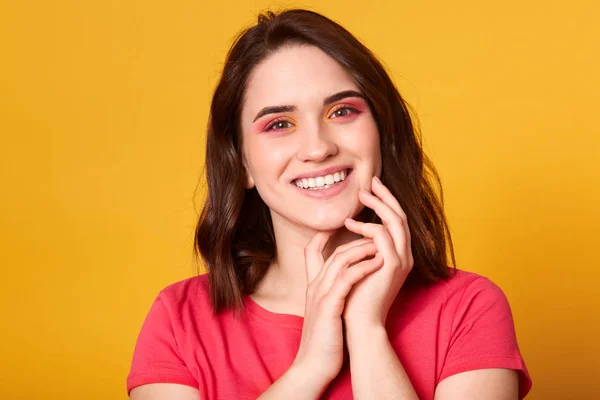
<point x="103" y="112"/>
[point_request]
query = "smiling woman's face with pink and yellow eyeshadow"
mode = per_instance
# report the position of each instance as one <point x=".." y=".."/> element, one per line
<point x="309" y="139"/>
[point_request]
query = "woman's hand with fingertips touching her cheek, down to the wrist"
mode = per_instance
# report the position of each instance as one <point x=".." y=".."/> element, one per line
<point x="370" y="300"/>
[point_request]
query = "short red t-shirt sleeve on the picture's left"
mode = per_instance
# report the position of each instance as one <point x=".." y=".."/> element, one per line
<point x="156" y="358"/>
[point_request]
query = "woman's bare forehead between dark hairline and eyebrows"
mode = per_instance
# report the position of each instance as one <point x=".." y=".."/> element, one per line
<point x="297" y="75"/>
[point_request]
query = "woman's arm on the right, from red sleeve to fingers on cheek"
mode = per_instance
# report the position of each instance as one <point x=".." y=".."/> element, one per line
<point x="484" y="351"/>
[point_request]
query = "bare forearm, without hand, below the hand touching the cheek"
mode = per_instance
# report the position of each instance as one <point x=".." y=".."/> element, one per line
<point x="375" y="369"/>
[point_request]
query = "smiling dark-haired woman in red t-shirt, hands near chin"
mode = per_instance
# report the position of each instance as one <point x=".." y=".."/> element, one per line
<point x="325" y="244"/>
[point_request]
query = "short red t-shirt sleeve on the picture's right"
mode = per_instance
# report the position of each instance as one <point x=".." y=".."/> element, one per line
<point x="483" y="334"/>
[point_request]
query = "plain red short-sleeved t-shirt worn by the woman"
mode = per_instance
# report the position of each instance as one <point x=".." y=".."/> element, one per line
<point x="458" y="325"/>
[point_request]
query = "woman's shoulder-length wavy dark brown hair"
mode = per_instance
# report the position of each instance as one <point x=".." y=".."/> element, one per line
<point x="234" y="235"/>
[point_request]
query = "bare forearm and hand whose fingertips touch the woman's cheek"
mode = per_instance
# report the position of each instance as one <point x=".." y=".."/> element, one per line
<point x="375" y="368"/>
